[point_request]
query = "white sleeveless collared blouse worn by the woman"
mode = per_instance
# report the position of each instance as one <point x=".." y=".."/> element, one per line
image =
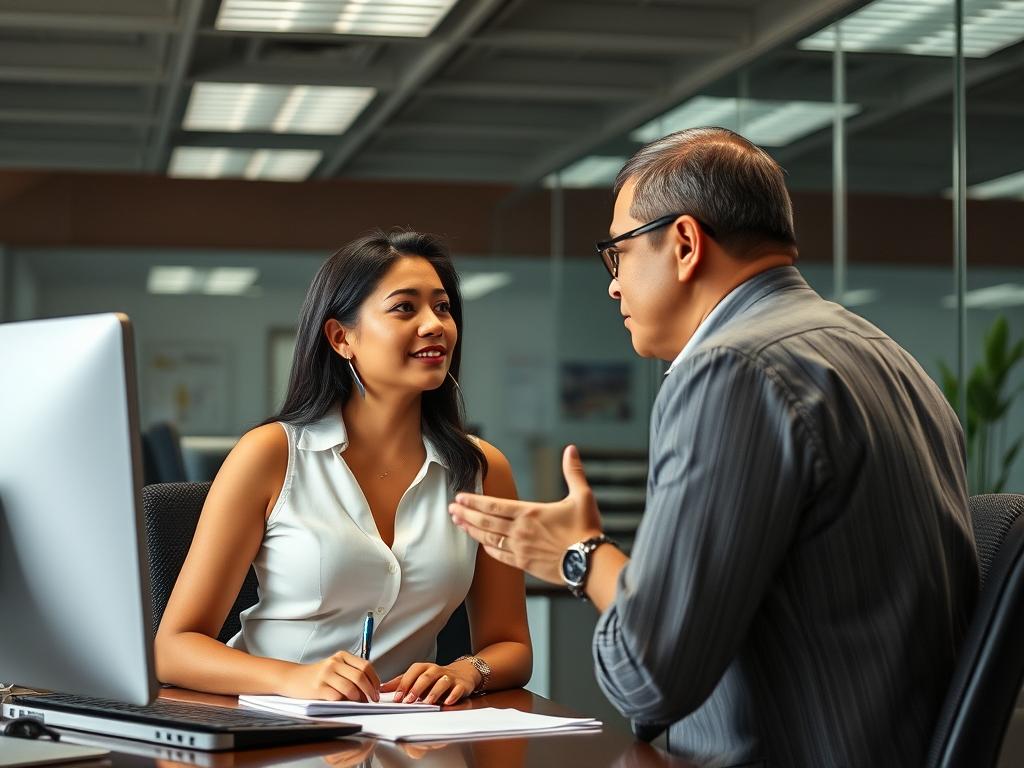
<point x="322" y="565"/>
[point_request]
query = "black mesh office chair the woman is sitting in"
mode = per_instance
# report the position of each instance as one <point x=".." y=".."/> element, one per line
<point x="173" y="511"/>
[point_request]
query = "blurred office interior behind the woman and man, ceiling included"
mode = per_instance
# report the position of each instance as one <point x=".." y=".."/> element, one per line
<point x="193" y="162"/>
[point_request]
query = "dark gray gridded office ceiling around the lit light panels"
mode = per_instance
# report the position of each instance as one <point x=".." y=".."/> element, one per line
<point x="501" y="91"/>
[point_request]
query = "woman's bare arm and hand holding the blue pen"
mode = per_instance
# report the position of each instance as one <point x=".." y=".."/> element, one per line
<point x="227" y="541"/>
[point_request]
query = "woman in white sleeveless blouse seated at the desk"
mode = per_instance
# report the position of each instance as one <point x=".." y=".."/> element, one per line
<point x="340" y="503"/>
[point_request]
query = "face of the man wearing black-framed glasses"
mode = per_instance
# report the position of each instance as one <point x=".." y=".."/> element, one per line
<point x="648" y="288"/>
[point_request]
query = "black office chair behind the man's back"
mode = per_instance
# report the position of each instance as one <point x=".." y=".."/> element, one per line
<point x="991" y="669"/>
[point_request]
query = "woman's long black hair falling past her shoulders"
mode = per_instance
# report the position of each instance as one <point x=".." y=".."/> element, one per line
<point x="321" y="378"/>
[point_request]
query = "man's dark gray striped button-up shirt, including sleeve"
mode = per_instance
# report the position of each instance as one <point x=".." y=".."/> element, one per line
<point x="805" y="570"/>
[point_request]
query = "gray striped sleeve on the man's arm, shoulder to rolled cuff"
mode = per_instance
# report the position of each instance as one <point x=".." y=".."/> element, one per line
<point x="733" y="464"/>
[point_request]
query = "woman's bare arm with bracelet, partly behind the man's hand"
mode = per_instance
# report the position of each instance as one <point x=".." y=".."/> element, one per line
<point x="497" y="608"/>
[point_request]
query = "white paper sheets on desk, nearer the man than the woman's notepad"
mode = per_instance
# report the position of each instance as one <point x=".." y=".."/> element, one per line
<point x="461" y="724"/>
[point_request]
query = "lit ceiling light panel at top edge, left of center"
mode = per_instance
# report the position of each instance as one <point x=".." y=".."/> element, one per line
<point x="388" y="18"/>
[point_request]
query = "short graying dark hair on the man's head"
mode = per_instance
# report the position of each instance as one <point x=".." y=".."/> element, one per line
<point x="720" y="179"/>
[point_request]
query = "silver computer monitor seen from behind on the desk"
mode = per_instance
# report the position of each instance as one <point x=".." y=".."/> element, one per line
<point x="74" y="582"/>
